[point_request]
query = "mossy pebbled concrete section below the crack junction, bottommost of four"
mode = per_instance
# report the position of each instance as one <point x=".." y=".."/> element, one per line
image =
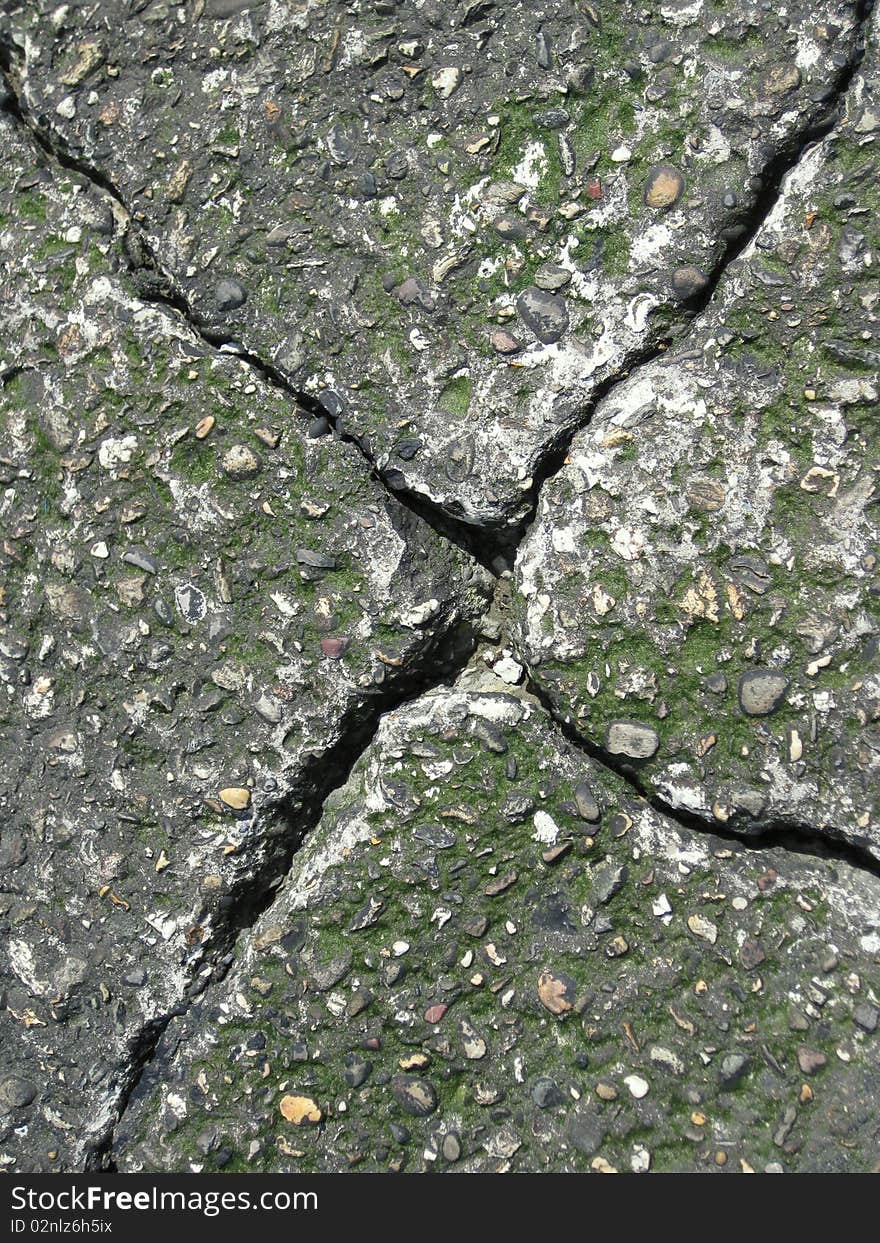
<point x="492" y="956"/>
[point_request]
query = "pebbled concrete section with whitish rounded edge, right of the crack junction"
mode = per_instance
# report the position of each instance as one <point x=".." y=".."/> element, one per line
<point x="707" y="561"/>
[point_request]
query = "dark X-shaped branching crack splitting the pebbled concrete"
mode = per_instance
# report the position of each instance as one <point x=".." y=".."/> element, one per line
<point x="494" y="549"/>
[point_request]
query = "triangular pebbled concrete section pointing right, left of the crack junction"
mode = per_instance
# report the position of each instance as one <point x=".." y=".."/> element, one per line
<point x="196" y="608"/>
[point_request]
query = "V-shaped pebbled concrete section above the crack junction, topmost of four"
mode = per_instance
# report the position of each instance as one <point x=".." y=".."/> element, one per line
<point x="376" y="198"/>
